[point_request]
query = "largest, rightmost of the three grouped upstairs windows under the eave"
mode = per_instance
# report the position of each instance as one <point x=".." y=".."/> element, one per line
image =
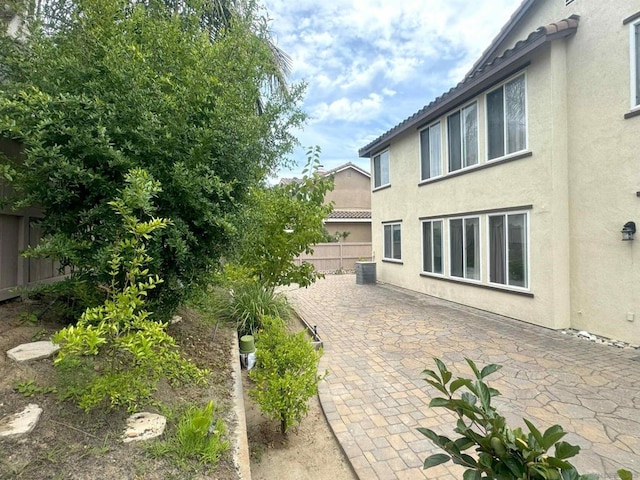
<point x="507" y="119"/>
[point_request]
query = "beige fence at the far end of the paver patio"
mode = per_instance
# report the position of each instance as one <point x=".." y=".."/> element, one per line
<point x="330" y="257"/>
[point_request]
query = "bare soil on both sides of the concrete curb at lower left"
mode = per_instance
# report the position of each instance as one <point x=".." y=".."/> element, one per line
<point x="69" y="444"/>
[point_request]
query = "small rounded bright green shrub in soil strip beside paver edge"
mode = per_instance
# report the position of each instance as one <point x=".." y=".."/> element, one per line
<point x="285" y="373"/>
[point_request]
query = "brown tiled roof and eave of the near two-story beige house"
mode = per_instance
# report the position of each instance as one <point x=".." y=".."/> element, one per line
<point x="481" y="76"/>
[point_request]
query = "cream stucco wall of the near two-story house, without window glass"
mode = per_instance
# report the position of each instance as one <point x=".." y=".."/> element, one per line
<point x="574" y="182"/>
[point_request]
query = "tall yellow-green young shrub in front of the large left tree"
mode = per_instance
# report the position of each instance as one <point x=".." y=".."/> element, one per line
<point x="131" y="351"/>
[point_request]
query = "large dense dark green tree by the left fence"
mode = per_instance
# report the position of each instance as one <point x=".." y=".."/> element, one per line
<point x="99" y="87"/>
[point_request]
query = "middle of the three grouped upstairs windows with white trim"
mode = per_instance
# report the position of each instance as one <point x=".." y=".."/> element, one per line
<point x="462" y="137"/>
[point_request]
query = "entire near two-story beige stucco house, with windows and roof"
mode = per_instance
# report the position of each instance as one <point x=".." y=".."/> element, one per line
<point x="509" y="192"/>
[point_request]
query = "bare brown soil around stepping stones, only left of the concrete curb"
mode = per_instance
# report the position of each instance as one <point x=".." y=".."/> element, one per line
<point x="69" y="444"/>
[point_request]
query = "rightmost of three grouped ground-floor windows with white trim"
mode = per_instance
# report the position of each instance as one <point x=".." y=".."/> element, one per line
<point x="508" y="245"/>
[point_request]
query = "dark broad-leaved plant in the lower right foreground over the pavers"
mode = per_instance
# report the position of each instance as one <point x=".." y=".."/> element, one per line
<point x="501" y="453"/>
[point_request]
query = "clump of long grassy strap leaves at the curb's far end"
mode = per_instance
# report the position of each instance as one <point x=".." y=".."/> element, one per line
<point x="245" y="303"/>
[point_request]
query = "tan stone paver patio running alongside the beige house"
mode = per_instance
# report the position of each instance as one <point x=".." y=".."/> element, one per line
<point x="379" y="338"/>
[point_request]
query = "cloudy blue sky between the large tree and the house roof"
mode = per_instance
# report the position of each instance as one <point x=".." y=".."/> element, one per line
<point x="369" y="64"/>
